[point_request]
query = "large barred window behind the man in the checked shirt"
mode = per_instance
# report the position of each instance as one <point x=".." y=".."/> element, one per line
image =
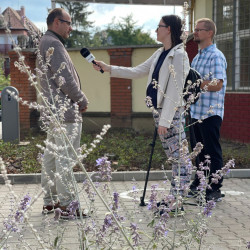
<point x="232" y="19"/>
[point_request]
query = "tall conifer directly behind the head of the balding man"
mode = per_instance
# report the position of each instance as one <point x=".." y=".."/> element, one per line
<point x="80" y="36"/>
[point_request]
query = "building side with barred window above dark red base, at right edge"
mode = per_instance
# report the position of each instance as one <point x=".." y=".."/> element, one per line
<point x="232" y="18"/>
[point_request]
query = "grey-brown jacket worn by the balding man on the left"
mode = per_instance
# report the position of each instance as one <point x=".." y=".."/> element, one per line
<point x="72" y="87"/>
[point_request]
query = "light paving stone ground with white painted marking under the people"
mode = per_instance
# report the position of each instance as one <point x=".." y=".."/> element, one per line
<point x="229" y="226"/>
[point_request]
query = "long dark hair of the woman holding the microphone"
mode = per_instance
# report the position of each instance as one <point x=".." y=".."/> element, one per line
<point x="175" y="24"/>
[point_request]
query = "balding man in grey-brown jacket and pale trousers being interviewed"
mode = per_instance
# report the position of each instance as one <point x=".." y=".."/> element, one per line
<point x="66" y="100"/>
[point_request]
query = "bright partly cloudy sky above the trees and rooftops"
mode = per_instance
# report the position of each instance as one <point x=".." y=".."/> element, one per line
<point x="146" y="16"/>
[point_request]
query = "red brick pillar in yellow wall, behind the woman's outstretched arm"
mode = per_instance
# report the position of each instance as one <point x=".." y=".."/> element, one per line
<point x="121" y="89"/>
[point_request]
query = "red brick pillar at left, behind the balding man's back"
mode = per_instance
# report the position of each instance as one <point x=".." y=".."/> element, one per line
<point x="20" y="81"/>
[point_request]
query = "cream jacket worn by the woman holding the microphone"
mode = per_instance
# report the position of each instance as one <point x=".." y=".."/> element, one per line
<point x="170" y="89"/>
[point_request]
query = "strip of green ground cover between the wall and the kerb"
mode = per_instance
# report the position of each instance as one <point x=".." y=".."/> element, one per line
<point x="127" y="149"/>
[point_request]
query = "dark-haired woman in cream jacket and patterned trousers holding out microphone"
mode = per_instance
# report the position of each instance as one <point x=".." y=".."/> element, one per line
<point x="166" y="69"/>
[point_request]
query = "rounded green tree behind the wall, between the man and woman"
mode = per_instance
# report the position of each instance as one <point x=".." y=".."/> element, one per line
<point x="125" y="32"/>
